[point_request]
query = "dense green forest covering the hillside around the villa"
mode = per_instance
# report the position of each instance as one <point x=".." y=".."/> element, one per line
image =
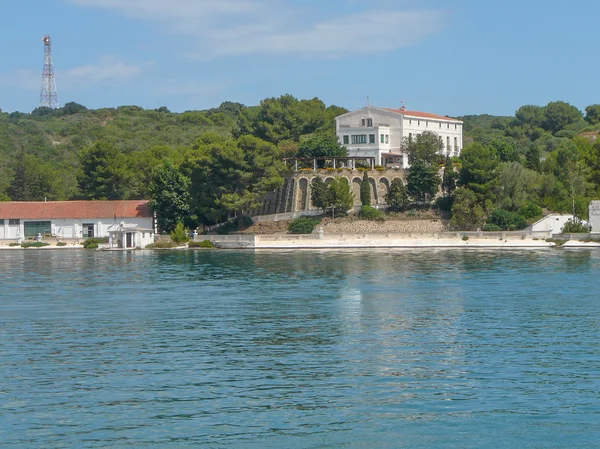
<point x="203" y="165"/>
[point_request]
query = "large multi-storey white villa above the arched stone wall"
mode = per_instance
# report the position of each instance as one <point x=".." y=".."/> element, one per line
<point x="378" y="132"/>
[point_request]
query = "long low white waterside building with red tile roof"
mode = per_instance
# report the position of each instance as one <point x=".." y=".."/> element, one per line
<point x="72" y="219"/>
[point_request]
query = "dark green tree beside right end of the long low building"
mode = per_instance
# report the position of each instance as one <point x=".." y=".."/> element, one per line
<point x="169" y="196"/>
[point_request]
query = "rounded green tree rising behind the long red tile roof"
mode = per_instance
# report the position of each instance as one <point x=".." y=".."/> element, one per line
<point x="104" y="173"/>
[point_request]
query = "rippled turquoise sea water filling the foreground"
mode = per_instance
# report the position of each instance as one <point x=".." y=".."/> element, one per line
<point x="300" y="349"/>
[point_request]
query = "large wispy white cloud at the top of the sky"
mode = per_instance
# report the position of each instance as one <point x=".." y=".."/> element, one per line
<point x="227" y="27"/>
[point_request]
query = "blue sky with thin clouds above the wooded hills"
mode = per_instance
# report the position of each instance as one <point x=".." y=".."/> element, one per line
<point x="453" y="57"/>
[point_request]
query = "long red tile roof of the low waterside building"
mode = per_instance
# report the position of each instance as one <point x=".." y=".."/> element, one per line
<point x="34" y="210"/>
